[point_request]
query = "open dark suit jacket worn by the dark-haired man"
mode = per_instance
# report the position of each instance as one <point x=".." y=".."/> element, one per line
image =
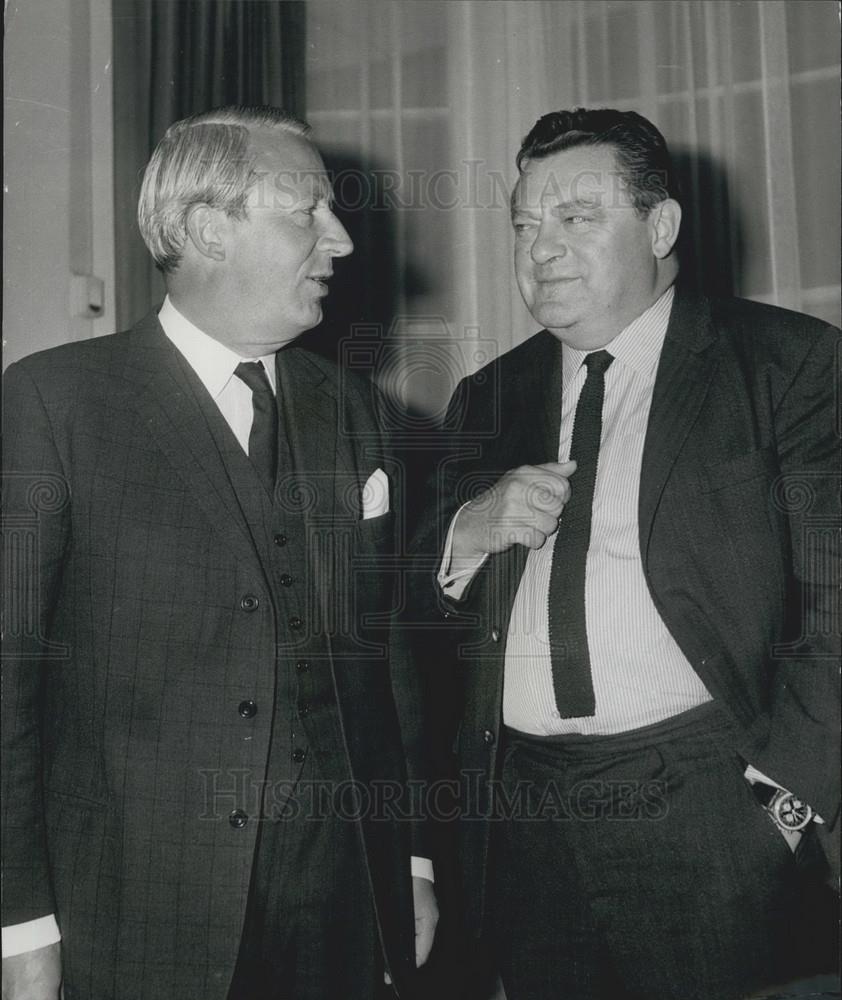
<point x="739" y="509"/>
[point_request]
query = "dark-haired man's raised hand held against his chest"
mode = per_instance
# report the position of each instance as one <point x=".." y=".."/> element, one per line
<point x="521" y="508"/>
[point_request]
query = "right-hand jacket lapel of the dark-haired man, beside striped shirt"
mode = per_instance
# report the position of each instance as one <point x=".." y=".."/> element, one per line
<point x="687" y="365"/>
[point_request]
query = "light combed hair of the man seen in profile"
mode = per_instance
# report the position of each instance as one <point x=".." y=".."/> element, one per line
<point x="203" y="159"/>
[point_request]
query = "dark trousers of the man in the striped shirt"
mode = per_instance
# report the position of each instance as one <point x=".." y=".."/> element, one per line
<point x="638" y="866"/>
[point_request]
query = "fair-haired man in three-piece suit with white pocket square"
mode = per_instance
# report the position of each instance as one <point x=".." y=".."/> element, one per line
<point x="198" y="709"/>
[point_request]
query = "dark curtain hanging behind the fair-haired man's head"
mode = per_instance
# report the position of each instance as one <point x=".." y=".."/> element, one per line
<point x="173" y="58"/>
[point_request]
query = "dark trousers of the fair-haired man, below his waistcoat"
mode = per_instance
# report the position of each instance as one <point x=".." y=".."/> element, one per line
<point x="310" y="930"/>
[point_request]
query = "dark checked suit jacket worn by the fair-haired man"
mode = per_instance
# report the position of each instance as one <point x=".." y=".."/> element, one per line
<point x="132" y="637"/>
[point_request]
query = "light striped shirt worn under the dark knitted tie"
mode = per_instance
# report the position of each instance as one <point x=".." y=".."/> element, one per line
<point x="640" y="676"/>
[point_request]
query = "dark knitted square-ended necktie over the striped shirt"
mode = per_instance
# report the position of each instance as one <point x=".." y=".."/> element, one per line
<point x="569" y="655"/>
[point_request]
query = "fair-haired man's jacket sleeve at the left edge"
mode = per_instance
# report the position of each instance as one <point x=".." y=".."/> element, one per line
<point x="36" y="519"/>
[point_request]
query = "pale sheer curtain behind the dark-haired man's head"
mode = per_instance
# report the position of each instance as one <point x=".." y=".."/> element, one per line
<point x="428" y="101"/>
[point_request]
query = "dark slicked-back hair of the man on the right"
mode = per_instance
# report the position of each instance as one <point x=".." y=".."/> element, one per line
<point x="641" y="151"/>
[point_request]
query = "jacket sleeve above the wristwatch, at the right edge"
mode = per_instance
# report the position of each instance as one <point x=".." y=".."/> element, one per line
<point x="802" y="752"/>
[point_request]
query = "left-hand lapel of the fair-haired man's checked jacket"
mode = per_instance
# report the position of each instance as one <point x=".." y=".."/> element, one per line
<point x="170" y="399"/>
